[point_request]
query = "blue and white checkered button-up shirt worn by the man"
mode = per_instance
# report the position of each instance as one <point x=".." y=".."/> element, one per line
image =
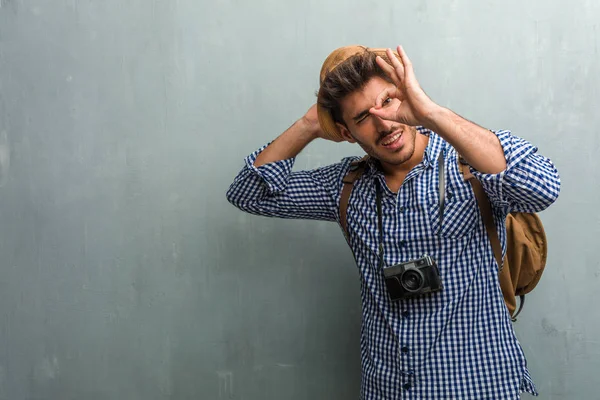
<point x="458" y="343"/>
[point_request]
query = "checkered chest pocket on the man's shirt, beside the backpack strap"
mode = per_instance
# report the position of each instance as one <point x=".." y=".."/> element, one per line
<point x="458" y="214"/>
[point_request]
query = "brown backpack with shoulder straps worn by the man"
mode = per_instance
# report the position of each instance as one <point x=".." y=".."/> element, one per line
<point x="526" y="246"/>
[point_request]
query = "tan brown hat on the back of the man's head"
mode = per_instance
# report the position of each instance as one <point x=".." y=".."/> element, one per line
<point x="334" y="59"/>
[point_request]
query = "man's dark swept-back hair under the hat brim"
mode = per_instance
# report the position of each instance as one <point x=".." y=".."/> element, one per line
<point x="349" y="76"/>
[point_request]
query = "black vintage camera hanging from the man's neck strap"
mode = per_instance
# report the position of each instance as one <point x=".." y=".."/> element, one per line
<point x="412" y="278"/>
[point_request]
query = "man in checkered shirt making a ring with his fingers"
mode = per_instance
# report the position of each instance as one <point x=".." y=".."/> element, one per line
<point x="455" y="341"/>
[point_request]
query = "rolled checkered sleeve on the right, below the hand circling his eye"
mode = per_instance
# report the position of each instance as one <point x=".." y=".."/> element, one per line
<point x="530" y="182"/>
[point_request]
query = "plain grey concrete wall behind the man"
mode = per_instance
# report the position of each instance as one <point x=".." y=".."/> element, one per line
<point x="124" y="273"/>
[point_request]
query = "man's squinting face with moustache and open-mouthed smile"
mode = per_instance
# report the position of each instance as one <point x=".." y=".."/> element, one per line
<point x="390" y="142"/>
